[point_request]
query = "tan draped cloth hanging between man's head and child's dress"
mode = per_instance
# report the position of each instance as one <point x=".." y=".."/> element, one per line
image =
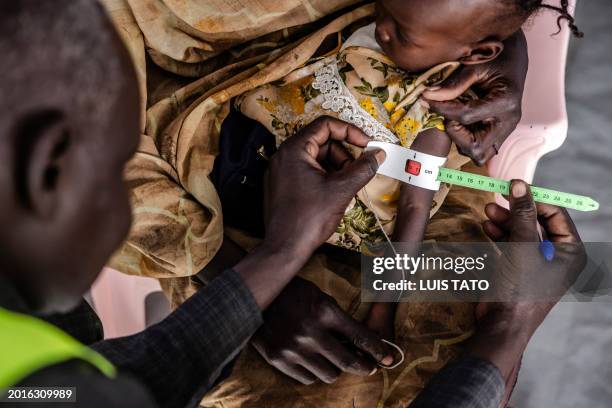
<point x="177" y="226"/>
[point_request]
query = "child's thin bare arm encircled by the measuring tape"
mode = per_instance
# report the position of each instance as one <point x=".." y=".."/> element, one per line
<point x="412" y="216"/>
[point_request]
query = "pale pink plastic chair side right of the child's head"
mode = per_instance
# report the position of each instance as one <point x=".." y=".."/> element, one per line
<point x="543" y="127"/>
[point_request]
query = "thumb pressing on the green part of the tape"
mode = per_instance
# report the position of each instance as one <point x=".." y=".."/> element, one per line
<point x="523" y="213"/>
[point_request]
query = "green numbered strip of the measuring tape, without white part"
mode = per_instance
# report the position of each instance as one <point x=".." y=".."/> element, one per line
<point x="542" y="195"/>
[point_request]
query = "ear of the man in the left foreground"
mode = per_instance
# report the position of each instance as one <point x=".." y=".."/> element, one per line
<point x="43" y="143"/>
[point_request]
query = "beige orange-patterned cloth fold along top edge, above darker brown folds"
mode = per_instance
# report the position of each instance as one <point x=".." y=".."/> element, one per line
<point x="200" y="36"/>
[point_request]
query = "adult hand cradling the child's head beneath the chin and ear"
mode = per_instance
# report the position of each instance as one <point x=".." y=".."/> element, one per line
<point x="480" y="127"/>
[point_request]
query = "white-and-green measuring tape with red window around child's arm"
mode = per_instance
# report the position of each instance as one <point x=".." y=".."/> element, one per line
<point x="426" y="171"/>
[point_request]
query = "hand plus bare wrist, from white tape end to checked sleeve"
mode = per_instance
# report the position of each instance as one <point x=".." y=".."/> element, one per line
<point x="310" y="182"/>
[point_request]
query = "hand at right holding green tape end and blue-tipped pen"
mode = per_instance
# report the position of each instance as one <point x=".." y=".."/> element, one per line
<point x="523" y="274"/>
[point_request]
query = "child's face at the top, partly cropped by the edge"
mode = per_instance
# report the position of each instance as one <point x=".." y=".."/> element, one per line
<point x="418" y="34"/>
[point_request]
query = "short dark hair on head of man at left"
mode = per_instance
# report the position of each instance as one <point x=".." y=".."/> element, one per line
<point x="60" y="53"/>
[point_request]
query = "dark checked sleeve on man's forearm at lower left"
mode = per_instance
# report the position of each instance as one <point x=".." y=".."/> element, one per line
<point x="182" y="356"/>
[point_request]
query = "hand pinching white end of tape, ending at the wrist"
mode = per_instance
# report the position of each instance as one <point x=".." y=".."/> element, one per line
<point x="311" y="181"/>
